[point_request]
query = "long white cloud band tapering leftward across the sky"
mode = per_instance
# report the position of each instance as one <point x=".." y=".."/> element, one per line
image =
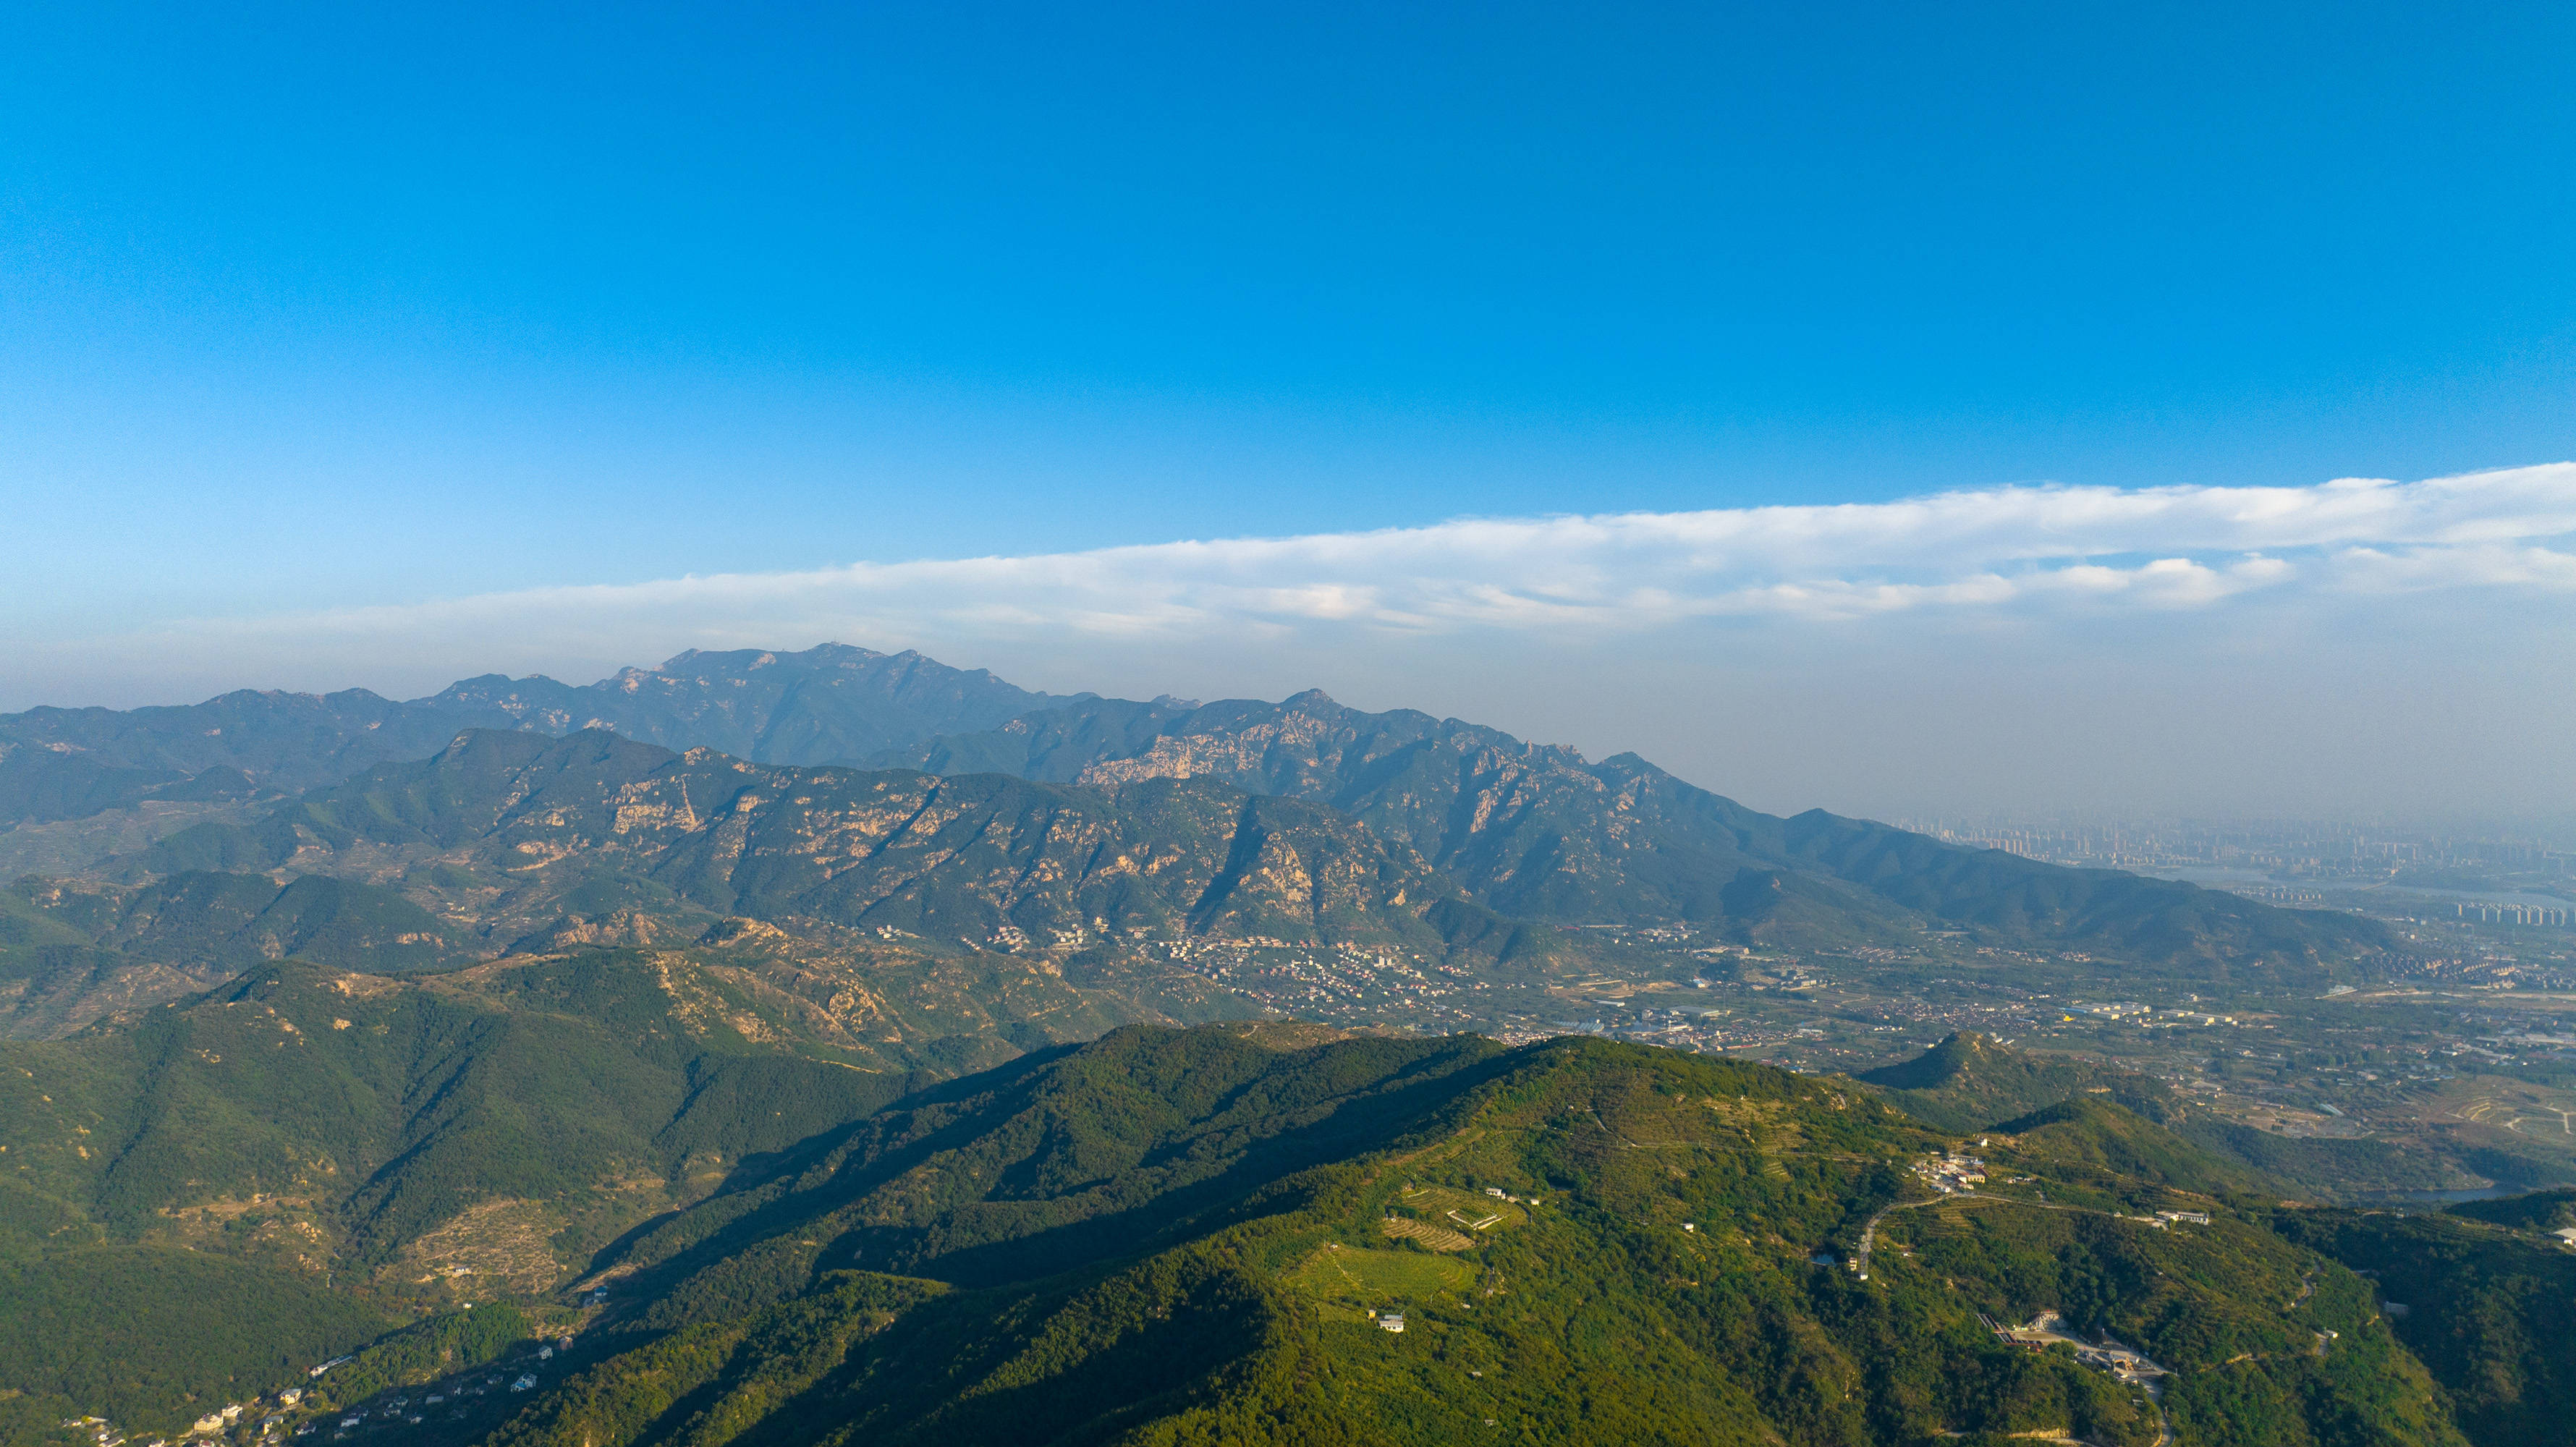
<point x="2011" y="552"/>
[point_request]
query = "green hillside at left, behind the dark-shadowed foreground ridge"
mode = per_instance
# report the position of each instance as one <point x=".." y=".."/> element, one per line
<point x="246" y="1183"/>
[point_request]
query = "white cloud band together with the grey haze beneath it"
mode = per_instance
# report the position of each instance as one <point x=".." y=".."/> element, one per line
<point x="2348" y="650"/>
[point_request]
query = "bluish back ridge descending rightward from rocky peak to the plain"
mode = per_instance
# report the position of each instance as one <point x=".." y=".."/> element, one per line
<point x="1534" y="830"/>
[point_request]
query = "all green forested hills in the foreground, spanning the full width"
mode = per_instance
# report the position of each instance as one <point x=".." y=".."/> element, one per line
<point x="759" y="1229"/>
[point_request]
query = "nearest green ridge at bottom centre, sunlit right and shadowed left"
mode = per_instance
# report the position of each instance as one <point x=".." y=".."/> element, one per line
<point x="1650" y="1278"/>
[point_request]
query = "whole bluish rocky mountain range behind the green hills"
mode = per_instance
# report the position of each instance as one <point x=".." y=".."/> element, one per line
<point x="846" y="794"/>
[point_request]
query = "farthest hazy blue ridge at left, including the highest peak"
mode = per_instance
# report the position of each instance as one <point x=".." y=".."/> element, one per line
<point x="826" y="704"/>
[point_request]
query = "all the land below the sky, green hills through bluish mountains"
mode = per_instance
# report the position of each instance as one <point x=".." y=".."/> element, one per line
<point x="957" y="1060"/>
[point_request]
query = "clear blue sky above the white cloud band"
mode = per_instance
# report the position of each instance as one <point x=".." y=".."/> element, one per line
<point x="346" y="308"/>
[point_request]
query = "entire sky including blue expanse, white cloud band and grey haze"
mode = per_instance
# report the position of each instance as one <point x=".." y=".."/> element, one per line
<point x="1897" y="413"/>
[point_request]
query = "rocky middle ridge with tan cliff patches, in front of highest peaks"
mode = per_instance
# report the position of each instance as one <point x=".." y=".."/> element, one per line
<point x="983" y="859"/>
